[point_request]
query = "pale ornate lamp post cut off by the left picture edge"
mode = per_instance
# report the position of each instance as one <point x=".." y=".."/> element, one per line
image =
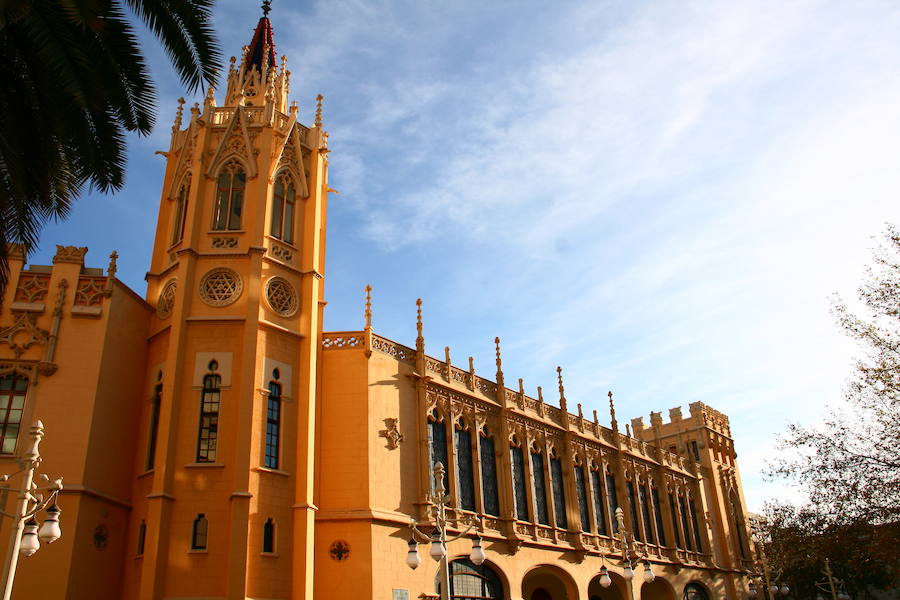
<point x="26" y="535"/>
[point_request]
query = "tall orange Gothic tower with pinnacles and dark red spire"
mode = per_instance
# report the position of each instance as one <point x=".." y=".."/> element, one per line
<point x="223" y="500"/>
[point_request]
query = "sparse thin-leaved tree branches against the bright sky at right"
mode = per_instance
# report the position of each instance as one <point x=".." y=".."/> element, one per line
<point x="850" y="465"/>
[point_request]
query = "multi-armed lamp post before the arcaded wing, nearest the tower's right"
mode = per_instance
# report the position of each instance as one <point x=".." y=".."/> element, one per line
<point x="439" y="537"/>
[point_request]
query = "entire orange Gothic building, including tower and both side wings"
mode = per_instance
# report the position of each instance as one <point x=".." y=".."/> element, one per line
<point x="215" y="443"/>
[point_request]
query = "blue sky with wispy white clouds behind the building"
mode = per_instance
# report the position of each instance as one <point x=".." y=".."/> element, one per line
<point x="658" y="196"/>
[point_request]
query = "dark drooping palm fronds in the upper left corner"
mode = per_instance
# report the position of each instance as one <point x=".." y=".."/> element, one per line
<point x="75" y="81"/>
